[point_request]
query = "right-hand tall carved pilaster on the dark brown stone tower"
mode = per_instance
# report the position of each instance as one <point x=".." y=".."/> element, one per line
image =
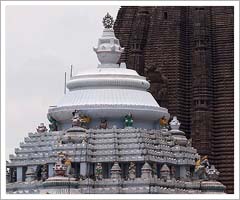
<point x="201" y="56"/>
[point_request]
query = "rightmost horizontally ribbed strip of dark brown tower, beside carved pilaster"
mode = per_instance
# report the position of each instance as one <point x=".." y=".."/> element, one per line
<point x="223" y="93"/>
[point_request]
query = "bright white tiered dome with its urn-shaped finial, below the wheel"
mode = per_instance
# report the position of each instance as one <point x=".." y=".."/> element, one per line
<point x="110" y="90"/>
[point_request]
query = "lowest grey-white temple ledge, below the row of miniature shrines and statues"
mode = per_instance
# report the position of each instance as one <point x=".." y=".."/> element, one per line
<point x="138" y="185"/>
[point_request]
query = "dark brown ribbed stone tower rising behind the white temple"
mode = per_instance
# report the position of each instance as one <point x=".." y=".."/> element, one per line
<point x="187" y="53"/>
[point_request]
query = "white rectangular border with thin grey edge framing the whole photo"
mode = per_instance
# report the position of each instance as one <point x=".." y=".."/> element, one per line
<point x="126" y="196"/>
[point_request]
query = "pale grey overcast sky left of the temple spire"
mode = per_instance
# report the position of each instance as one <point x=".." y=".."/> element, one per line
<point x="41" y="44"/>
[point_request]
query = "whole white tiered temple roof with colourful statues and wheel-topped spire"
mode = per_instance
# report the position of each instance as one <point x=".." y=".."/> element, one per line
<point x="109" y="135"/>
